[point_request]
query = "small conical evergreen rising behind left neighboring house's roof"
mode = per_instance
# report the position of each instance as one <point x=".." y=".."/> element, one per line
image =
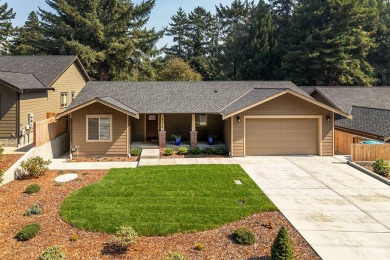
<point x="29" y="38"/>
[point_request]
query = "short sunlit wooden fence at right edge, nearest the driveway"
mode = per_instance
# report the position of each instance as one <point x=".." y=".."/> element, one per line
<point x="369" y="152"/>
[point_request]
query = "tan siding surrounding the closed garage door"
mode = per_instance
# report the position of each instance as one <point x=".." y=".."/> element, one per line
<point x="285" y="105"/>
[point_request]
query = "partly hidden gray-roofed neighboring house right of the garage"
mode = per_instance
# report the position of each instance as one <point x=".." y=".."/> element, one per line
<point x="369" y="107"/>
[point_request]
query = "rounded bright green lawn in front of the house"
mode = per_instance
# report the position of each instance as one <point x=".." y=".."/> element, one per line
<point x="163" y="200"/>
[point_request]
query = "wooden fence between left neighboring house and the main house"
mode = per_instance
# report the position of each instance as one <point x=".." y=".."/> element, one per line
<point x="48" y="129"/>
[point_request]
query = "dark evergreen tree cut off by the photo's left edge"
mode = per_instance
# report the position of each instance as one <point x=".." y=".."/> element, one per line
<point x="6" y="28"/>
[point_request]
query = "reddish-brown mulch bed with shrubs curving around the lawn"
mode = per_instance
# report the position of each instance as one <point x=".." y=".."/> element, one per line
<point x="54" y="231"/>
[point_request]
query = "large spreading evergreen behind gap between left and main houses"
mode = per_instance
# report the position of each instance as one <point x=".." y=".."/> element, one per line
<point x="109" y="36"/>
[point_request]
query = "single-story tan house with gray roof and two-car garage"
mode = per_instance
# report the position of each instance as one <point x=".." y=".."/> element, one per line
<point x="251" y="118"/>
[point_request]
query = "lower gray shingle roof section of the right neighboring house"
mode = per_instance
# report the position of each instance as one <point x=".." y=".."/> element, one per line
<point x="368" y="120"/>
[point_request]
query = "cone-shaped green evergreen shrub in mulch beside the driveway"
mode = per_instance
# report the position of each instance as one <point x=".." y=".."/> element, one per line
<point x="281" y="248"/>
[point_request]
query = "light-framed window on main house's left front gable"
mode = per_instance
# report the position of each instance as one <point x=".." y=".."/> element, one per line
<point x="99" y="128"/>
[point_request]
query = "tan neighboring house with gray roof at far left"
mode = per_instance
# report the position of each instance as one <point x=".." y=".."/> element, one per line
<point x="31" y="87"/>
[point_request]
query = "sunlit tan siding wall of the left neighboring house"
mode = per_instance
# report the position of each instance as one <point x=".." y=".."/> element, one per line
<point x="40" y="103"/>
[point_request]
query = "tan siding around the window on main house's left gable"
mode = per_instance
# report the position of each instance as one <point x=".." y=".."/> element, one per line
<point x="118" y="146"/>
